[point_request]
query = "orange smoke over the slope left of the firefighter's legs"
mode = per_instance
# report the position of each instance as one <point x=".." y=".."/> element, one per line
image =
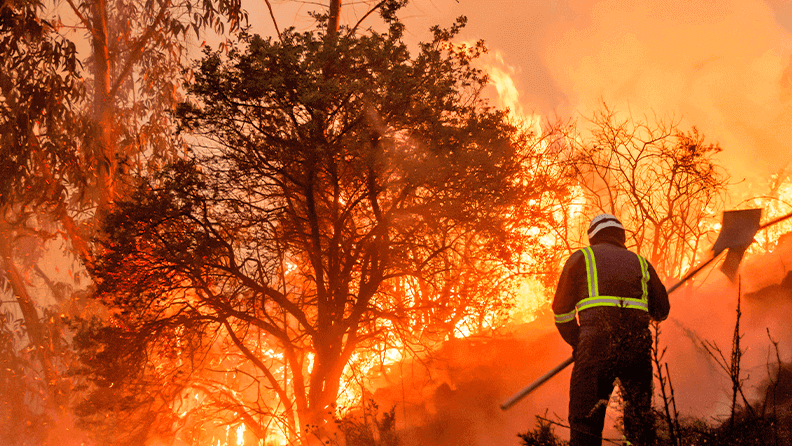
<point x="453" y="397"/>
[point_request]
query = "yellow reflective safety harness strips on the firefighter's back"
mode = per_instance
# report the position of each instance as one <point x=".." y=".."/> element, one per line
<point x="594" y="298"/>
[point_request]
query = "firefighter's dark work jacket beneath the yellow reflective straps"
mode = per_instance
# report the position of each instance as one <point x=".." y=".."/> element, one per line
<point x="619" y="274"/>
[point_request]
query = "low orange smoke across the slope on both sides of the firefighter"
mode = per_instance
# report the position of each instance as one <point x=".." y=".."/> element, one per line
<point x="453" y="398"/>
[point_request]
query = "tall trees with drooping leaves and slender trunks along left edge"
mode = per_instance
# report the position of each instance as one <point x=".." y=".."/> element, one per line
<point x="61" y="163"/>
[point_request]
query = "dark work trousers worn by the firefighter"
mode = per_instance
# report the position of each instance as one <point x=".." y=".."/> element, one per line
<point x="613" y="343"/>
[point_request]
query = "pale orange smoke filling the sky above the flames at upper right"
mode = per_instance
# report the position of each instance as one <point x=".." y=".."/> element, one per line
<point x="722" y="66"/>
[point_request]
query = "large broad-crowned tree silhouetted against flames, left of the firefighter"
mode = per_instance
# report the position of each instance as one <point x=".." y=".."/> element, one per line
<point x="335" y="196"/>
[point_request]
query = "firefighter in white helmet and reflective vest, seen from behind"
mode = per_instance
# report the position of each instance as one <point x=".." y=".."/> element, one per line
<point x="605" y="299"/>
